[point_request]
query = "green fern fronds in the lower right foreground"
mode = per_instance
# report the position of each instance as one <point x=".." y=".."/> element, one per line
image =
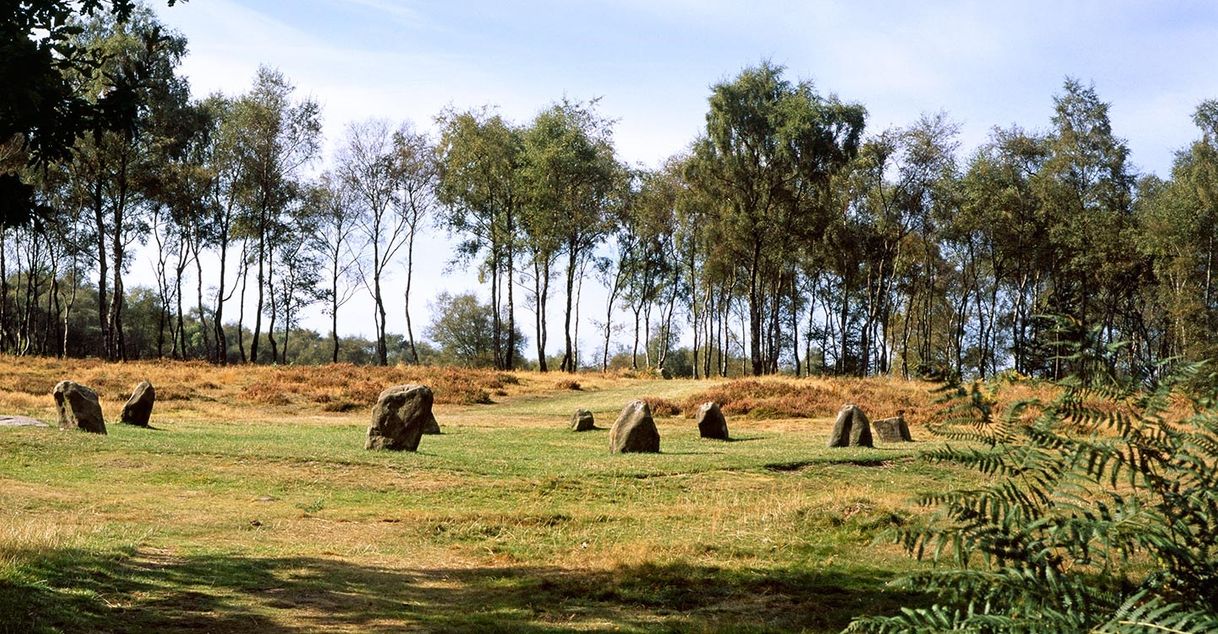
<point x="1096" y="510"/>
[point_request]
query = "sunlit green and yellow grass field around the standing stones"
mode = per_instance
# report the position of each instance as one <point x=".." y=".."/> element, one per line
<point x="242" y="514"/>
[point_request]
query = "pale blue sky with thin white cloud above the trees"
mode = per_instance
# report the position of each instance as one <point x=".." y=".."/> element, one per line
<point x="653" y="63"/>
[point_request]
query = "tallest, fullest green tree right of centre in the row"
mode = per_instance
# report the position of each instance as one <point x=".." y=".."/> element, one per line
<point x="768" y="154"/>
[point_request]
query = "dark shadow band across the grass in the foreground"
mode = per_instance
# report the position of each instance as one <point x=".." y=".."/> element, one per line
<point x="75" y="591"/>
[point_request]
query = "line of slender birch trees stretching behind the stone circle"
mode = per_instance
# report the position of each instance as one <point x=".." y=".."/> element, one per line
<point x="786" y="238"/>
